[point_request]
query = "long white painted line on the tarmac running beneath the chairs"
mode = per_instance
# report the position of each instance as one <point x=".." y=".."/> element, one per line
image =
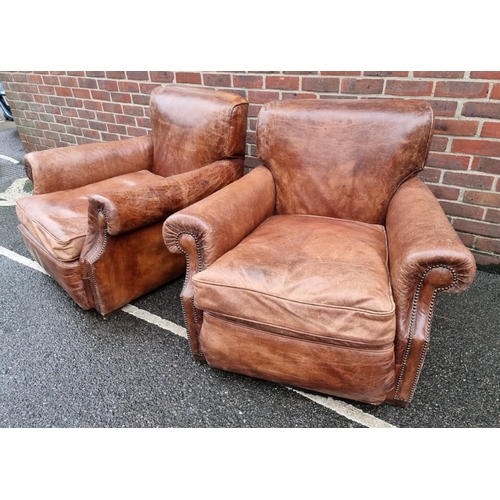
<point x="339" y="407"/>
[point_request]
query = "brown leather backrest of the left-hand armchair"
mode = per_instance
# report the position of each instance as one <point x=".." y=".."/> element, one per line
<point x="195" y="126"/>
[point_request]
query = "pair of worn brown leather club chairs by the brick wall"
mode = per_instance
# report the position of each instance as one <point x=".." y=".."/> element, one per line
<point x="319" y="269"/>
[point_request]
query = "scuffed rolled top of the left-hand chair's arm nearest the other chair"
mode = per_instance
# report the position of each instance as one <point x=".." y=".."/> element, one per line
<point x="132" y="207"/>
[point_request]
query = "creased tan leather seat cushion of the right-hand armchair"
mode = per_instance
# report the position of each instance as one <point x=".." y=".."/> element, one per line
<point x="310" y="277"/>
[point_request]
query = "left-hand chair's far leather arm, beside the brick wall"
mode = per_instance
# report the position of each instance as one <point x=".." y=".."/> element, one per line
<point x="75" y="166"/>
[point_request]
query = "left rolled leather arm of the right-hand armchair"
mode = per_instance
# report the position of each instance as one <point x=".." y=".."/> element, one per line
<point x="218" y="223"/>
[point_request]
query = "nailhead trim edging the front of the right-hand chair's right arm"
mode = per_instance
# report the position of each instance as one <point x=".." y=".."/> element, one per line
<point x="427" y="330"/>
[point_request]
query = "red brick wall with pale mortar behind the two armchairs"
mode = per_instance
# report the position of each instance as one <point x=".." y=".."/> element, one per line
<point x="59" y="108"/>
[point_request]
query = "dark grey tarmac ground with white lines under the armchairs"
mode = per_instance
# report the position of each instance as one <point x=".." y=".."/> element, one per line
<point x="62" y="367"/>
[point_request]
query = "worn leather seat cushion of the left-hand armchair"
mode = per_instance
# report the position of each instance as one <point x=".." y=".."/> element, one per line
<point x="58" y="221"/>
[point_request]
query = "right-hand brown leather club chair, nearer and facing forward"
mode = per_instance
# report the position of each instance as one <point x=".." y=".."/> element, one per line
<point x="319" y="269"/>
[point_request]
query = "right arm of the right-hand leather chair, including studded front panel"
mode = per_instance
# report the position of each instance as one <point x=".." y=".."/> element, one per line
<point x="426" y="256"/>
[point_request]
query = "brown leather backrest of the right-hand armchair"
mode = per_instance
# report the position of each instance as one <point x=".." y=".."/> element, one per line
<point x="342" y="158"/>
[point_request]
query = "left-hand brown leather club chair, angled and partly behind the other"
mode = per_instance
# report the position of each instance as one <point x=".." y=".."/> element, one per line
<point x="94" y="222"/>
